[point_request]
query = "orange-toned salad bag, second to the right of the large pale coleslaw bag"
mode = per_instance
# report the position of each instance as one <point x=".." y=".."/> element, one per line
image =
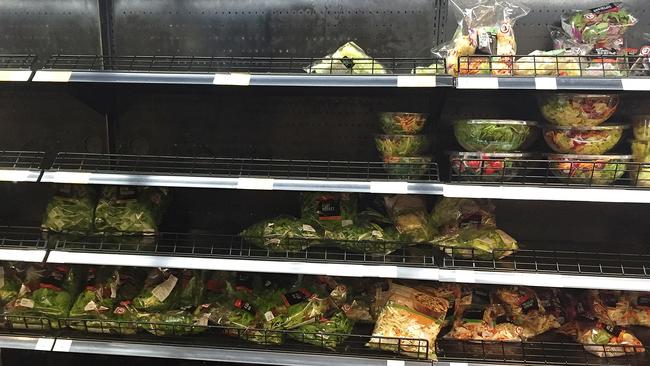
<point x="524" y="308"/>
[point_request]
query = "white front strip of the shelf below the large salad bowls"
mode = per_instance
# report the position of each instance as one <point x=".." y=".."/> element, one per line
<point x="548" y="193"/>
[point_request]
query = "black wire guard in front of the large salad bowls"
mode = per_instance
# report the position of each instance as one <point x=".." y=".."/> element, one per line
<point x="567" y="173"/>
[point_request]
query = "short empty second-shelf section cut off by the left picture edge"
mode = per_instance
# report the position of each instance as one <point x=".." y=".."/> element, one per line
<point x="20" y="166"/>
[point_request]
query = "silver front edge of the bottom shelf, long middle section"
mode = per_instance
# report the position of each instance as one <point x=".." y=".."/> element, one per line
<point x="263" y="357"/>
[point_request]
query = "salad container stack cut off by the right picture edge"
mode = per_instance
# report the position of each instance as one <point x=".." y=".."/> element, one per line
<point x="641" y="151"/>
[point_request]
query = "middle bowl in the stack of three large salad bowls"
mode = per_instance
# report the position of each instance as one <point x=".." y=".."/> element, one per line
<point x="596" y="140"/>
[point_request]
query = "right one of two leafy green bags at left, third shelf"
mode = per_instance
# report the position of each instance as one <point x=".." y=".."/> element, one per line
<point x="131" y="210"/>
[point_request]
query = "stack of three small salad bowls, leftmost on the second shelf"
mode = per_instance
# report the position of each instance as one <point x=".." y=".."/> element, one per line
<point x="403" y="146"/>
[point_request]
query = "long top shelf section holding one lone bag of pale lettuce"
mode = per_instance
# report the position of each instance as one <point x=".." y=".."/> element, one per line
<point x="236" y="71"/>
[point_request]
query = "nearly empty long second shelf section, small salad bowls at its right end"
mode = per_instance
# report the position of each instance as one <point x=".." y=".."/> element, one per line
<point x="257" y="174"/>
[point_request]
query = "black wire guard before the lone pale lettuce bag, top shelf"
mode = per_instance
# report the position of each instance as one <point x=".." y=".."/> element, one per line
<point x="283" y="65"/>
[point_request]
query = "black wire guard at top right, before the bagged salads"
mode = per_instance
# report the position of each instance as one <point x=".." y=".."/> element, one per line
<point x="596" y="66"/>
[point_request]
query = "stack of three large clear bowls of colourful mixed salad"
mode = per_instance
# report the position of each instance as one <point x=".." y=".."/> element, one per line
<point x="580" y="139"/>
